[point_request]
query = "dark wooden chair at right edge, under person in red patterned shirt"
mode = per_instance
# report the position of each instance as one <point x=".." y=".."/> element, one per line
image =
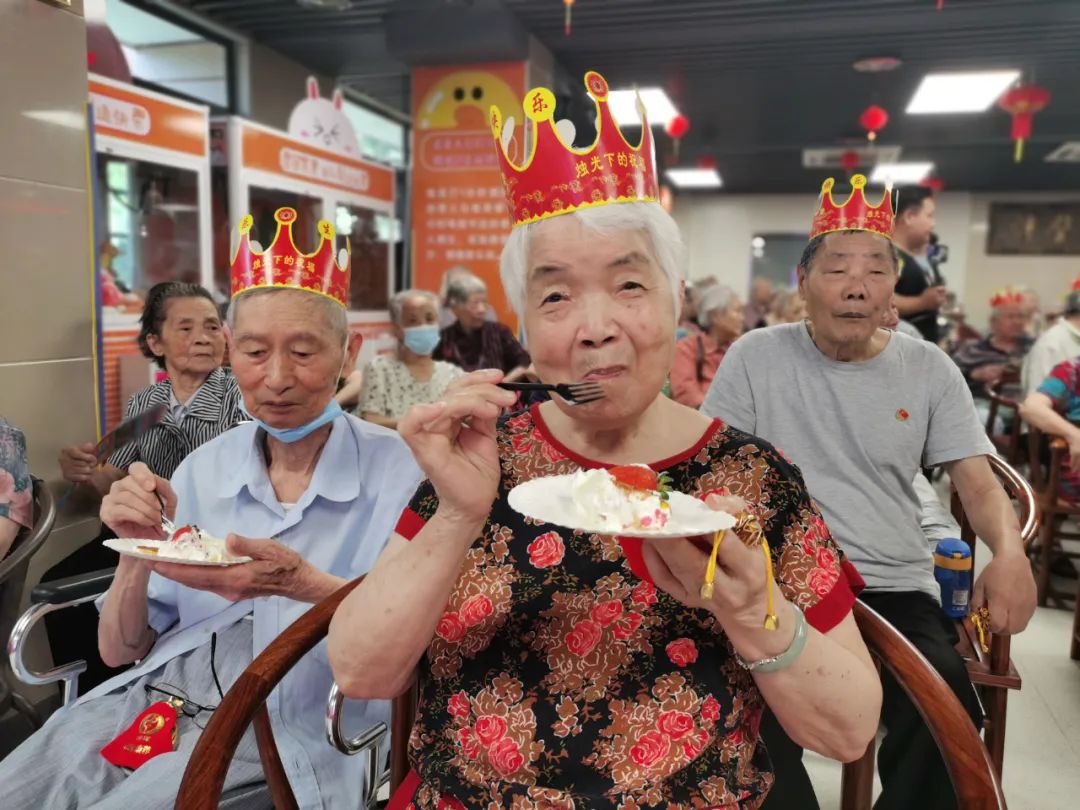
<point x="1045" y="468"/>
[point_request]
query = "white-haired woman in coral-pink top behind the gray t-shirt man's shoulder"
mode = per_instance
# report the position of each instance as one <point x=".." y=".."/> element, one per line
<point x="698" y="357"/>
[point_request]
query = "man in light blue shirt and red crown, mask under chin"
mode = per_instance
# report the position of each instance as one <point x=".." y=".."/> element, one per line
<point x="315" y="494"/>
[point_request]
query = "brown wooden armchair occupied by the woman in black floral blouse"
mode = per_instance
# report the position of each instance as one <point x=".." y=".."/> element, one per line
<point x="966" y="758"/>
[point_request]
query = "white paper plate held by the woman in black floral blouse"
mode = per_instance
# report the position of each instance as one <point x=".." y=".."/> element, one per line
<point x="550" y="499"/>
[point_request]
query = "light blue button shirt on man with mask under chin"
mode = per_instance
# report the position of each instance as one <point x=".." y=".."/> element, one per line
<point x="362" y="483"/>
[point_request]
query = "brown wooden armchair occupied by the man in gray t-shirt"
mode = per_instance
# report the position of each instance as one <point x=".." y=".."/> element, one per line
<point x="993" y="673"/>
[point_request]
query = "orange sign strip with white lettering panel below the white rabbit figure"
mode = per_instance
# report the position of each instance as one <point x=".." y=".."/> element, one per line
<point x="281" y="155"/>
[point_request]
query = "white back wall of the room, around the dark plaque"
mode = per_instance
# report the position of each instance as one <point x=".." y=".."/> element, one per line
<point x="719" y="228"/>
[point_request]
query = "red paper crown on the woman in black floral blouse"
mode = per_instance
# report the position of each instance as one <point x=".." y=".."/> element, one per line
<point x="558" y="179"/>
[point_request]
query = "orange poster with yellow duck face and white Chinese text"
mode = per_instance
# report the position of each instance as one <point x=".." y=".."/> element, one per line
<point x="460" y="210"/>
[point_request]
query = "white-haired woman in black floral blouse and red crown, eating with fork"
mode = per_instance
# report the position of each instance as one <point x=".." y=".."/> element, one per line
<point x="561" y="668"/>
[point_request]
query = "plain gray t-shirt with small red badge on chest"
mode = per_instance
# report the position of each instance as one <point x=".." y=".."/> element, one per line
<point x="860" y="433"/>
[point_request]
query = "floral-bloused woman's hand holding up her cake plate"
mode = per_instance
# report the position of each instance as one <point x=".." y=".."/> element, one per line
<point x="739" y="596"/>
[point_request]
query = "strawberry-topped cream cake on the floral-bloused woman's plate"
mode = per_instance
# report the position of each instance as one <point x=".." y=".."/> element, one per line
<point x="623" y="498"/>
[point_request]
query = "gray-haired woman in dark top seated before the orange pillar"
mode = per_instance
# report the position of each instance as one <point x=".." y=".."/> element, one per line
<point x="472" y="342"/>
